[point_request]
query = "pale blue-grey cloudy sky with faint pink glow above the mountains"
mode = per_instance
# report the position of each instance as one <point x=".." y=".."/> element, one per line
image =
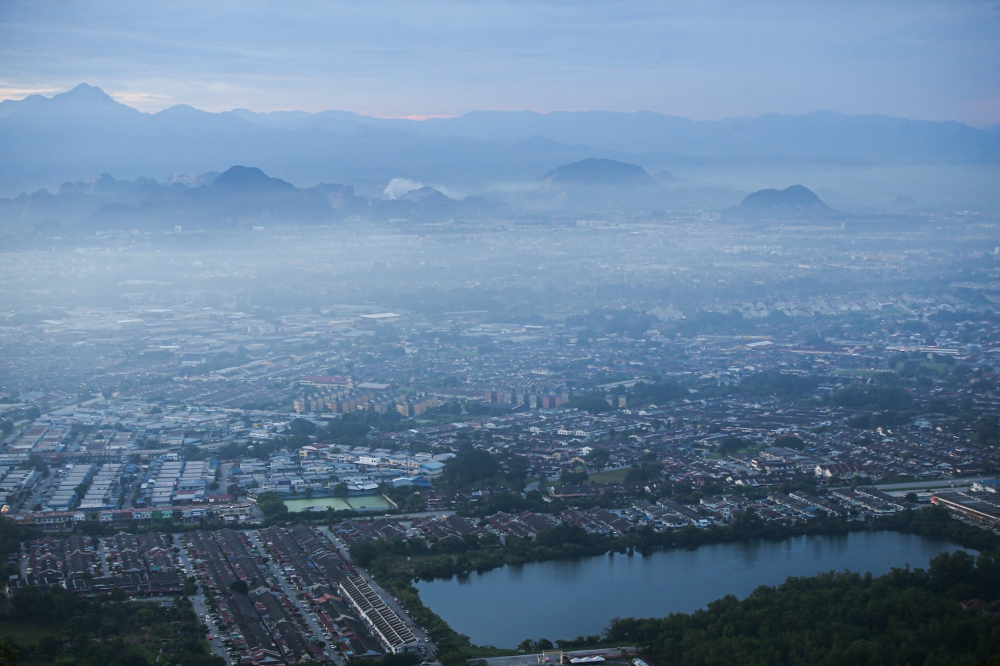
<point x="704" y="59"/>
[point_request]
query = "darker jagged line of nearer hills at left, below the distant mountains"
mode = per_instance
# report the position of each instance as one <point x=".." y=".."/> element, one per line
<point x="239" y="198"/>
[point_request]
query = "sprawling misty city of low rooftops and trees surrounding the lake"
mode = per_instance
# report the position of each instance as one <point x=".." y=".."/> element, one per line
<point x="264" y="438"/>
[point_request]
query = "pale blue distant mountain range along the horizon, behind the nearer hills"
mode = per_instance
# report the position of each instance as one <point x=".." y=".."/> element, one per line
<point x="74" y="135"/>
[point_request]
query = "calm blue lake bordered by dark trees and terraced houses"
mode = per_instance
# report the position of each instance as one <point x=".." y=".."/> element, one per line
<point x="565" y="599"/>
